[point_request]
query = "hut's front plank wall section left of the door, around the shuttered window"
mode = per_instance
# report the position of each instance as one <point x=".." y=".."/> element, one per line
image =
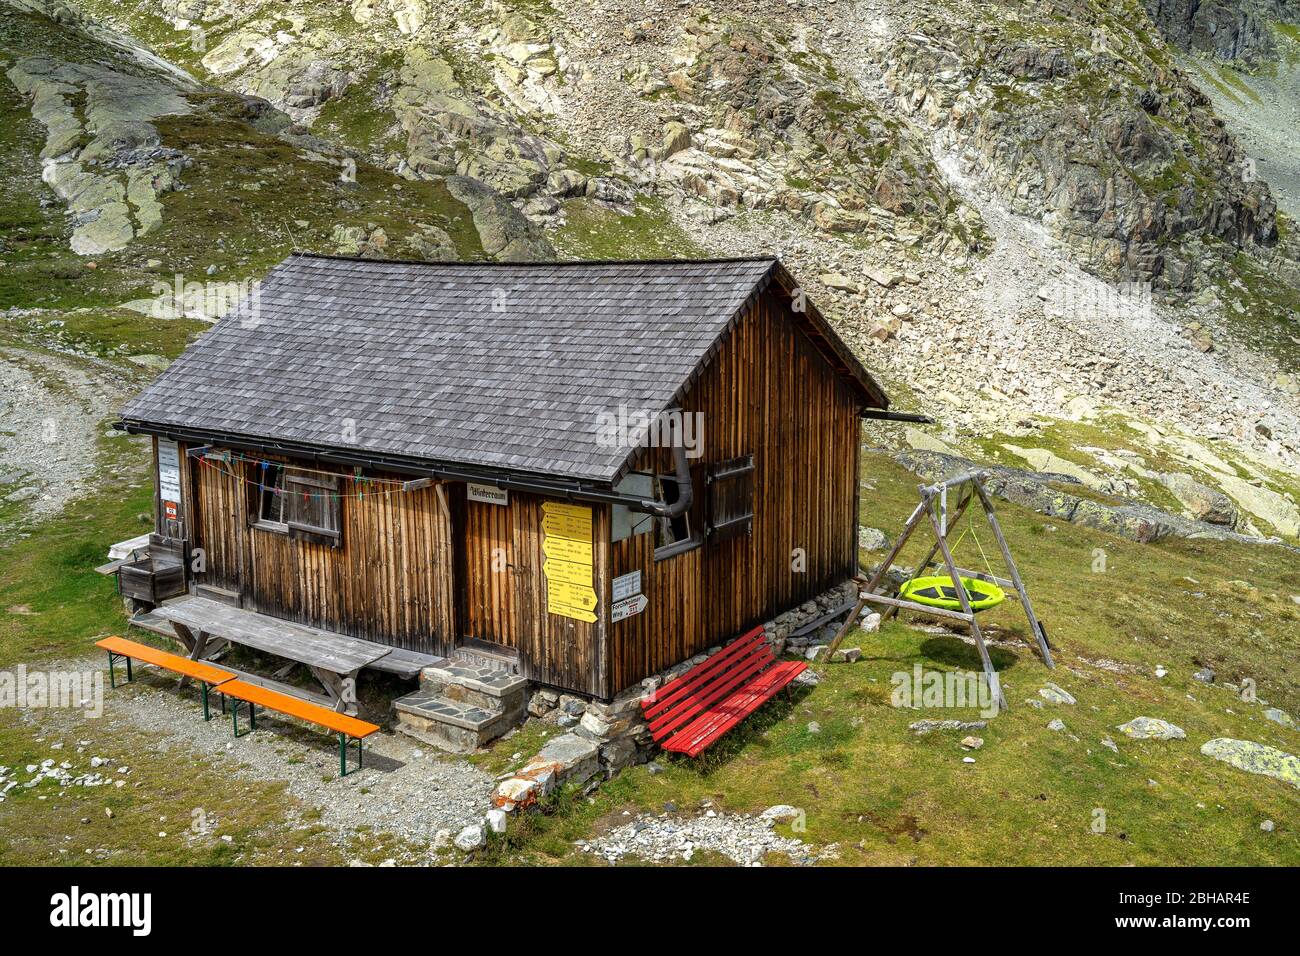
<point x="391" y="579"/>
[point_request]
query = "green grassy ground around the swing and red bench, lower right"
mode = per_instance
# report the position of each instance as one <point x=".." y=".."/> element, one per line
<point x="889" y="797"/>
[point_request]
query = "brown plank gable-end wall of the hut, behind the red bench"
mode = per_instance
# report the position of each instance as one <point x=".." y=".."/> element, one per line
<point x="769" y="393"/>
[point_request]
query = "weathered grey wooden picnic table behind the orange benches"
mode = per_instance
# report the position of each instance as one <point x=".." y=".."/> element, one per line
<point x="206" y="626"/>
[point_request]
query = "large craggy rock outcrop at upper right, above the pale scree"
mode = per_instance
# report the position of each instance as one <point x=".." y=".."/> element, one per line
<point x="1106" y="142"/>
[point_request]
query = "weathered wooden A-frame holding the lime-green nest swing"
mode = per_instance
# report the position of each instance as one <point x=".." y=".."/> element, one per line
<point x="972" y="486"/>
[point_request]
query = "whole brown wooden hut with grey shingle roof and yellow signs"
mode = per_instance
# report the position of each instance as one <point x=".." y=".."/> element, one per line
<point x="441" y="456"/>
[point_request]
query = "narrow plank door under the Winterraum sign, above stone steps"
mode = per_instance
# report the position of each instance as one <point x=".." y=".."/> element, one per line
<point x="492" y="574"/>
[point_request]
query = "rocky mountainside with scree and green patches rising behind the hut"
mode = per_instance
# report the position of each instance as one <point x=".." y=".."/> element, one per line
<point x="1038" y="222"/>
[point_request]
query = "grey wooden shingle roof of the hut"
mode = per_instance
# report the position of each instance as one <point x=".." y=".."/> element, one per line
<point x="495" y="366"/>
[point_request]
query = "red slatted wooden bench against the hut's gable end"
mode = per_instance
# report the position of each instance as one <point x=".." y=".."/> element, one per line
<point x="692" y="712"/>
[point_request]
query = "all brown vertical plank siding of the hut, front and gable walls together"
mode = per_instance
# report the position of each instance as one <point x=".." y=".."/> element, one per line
<point x="408" y="577"/>
